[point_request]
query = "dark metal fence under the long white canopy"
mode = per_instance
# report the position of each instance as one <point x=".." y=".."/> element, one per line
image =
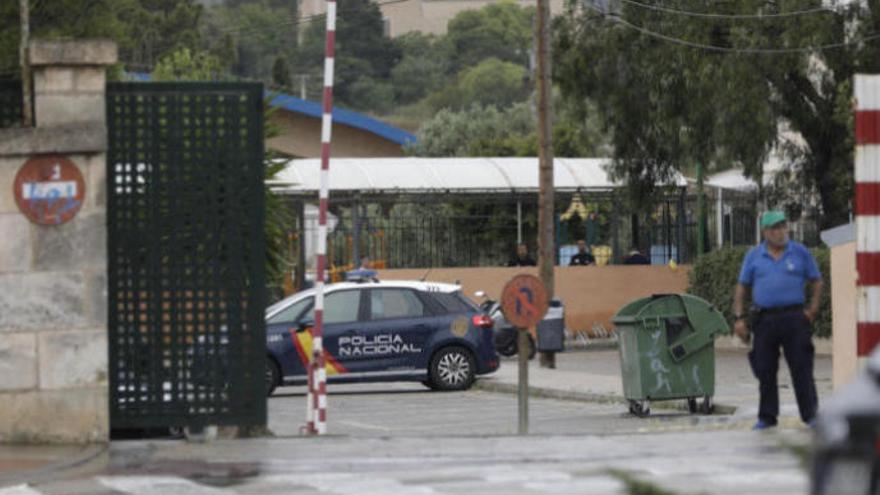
<point x="468" y="231"/>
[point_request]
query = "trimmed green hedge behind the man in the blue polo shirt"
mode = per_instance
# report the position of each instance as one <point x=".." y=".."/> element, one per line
<point x="715" y="274"/>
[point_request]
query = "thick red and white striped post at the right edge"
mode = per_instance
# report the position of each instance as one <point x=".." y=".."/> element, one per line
<point x="867" y="174"/>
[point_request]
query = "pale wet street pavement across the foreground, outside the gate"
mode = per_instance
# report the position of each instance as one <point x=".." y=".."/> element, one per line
<point x="720" y="463"/>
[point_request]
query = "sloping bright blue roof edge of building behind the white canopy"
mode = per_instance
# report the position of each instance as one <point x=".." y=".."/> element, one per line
<point x="314" y="109"/>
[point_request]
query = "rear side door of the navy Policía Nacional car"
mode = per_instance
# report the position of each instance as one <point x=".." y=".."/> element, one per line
<point x="393" y="335"/>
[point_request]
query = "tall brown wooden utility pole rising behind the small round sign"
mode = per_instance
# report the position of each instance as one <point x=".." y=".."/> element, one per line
<point x="546" y="242"/>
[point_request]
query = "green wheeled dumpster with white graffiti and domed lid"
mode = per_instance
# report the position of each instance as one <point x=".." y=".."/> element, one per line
<point x="667" y="351"/>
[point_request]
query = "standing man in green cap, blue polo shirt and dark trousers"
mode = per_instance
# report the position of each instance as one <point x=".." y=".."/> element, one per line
<point x="775" y="272"/>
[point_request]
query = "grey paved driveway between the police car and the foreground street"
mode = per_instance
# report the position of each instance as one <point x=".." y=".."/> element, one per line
<point x="413" y="410"/>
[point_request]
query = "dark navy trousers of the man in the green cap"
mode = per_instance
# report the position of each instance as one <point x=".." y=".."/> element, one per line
<point x="790" y="331"/>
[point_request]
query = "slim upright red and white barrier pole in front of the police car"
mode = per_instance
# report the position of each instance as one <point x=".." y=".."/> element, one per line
<point x="317" y="397"/>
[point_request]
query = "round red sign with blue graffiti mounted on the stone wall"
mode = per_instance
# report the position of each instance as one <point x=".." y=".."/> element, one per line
<point x="49" y="189"/>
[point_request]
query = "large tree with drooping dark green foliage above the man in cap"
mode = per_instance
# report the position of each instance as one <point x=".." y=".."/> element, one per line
<point x="667" y="106"/>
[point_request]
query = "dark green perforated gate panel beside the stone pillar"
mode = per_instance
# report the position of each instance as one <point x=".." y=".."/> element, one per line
<point x="185" y="211"/>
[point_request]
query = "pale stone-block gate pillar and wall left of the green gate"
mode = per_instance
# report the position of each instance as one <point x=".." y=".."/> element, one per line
<point x="53" y="281"/>
